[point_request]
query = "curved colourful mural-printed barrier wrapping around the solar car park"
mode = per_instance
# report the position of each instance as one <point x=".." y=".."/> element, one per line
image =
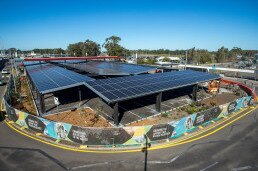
<point x="125" y="136"/>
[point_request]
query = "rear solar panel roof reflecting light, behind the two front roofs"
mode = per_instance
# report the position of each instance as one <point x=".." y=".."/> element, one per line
<point x="110" y="68"/>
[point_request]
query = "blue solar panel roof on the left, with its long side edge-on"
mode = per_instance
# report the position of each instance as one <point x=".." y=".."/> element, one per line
<point x="49" y="78"/>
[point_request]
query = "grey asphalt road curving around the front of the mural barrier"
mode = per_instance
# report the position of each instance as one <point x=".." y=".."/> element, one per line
<point x="232" y="148"/>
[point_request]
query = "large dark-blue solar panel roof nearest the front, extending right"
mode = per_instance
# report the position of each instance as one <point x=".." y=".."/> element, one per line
<point x="123" y="88"/>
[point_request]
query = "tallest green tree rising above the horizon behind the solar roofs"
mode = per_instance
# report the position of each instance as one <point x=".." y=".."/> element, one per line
<point x="113" y="48"/>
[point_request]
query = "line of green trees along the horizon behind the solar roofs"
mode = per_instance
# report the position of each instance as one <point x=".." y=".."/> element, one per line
<point x="112" y="47"/>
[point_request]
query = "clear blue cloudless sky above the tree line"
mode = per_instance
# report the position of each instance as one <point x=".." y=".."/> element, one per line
<point x="142" y="24"/>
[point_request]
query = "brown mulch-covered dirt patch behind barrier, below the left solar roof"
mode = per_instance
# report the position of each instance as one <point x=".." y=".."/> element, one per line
<point x="81" y="117"/>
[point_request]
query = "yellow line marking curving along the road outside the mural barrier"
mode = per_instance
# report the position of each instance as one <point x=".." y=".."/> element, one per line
<point x="172" y="144"/>
